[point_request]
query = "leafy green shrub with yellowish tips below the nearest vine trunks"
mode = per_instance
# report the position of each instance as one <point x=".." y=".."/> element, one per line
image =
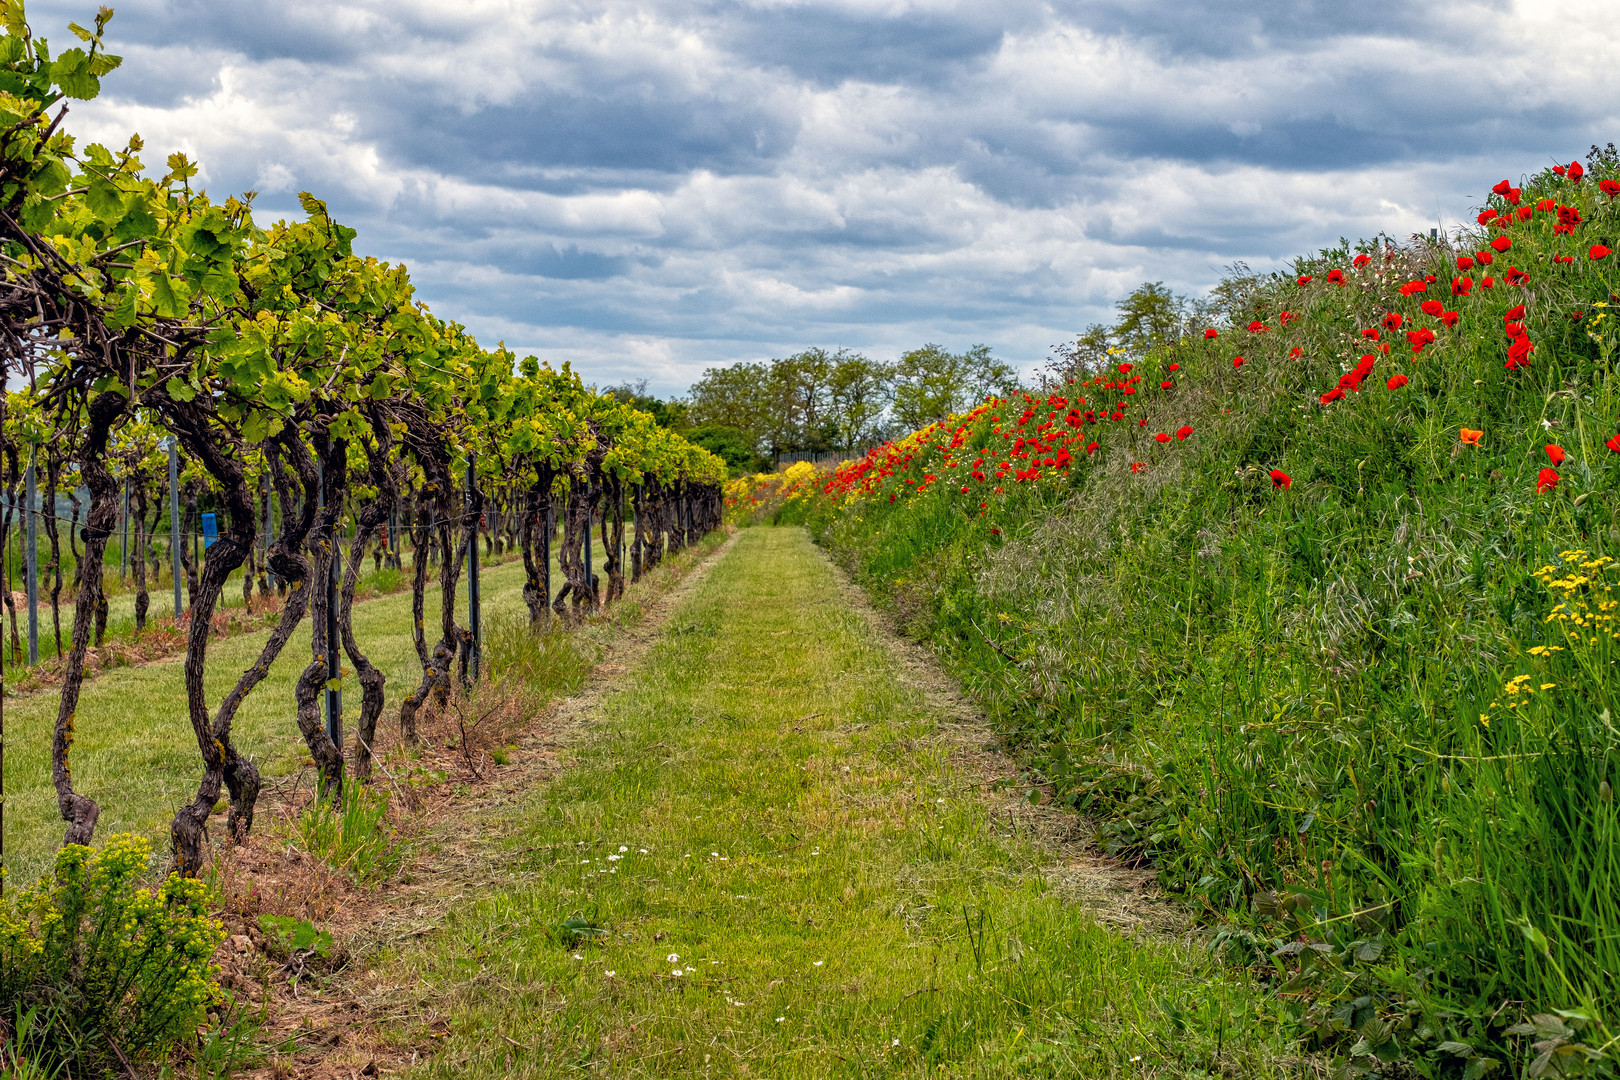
<point x="95" y="964"/>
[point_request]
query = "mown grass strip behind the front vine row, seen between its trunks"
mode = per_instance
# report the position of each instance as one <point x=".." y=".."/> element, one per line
<point x="137" y="755"/>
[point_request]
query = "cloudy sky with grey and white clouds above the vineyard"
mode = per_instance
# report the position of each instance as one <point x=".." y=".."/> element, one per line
<point x="649" y="189"/>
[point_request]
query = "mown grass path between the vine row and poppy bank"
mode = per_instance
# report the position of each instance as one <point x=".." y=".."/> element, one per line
<point x="795" y="875"/>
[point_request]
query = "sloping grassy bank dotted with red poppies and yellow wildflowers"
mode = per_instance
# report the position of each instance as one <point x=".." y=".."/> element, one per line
<point x="1313" y="610"/>
